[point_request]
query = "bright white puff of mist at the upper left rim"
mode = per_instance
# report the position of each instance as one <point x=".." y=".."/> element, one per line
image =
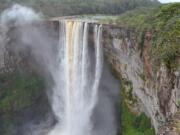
<point x="14" y="16"/>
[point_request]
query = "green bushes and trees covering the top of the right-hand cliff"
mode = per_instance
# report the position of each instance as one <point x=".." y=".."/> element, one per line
<point x="164" y="24"/>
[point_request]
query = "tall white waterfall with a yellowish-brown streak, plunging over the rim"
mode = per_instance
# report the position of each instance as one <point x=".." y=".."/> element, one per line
<point x="76" y="78"/>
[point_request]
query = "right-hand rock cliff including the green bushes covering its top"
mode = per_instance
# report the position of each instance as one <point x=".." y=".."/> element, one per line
<point x="145" y="53"/>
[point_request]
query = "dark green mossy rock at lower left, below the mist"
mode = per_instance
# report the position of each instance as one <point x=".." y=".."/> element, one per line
<point x="22" y="100"/>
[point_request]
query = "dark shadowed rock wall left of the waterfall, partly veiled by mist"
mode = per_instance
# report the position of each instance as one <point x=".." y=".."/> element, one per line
<point x="24" y="109"/>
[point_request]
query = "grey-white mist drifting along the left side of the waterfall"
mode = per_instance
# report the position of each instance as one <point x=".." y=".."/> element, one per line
<point x="23" y="34"/>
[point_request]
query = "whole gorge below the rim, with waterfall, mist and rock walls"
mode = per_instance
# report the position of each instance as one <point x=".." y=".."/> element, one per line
<point x="70" y="63"/>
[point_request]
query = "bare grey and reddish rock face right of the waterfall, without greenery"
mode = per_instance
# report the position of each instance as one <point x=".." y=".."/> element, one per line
<point x="156" y="92"/>
